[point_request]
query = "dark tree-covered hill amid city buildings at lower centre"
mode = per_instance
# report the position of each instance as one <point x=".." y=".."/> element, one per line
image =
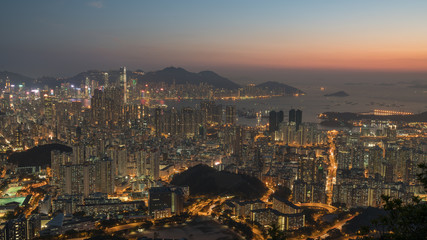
<point x="204" y="180"/>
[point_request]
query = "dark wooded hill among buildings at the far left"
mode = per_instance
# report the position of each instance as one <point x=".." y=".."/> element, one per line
<point x="36" y="156"/>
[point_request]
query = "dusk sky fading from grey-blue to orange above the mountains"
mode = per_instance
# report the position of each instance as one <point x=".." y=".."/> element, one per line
<point x="56" y="37"/>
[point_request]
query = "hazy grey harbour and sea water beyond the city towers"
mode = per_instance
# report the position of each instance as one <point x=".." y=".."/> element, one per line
<point x="363" y="98"/>
